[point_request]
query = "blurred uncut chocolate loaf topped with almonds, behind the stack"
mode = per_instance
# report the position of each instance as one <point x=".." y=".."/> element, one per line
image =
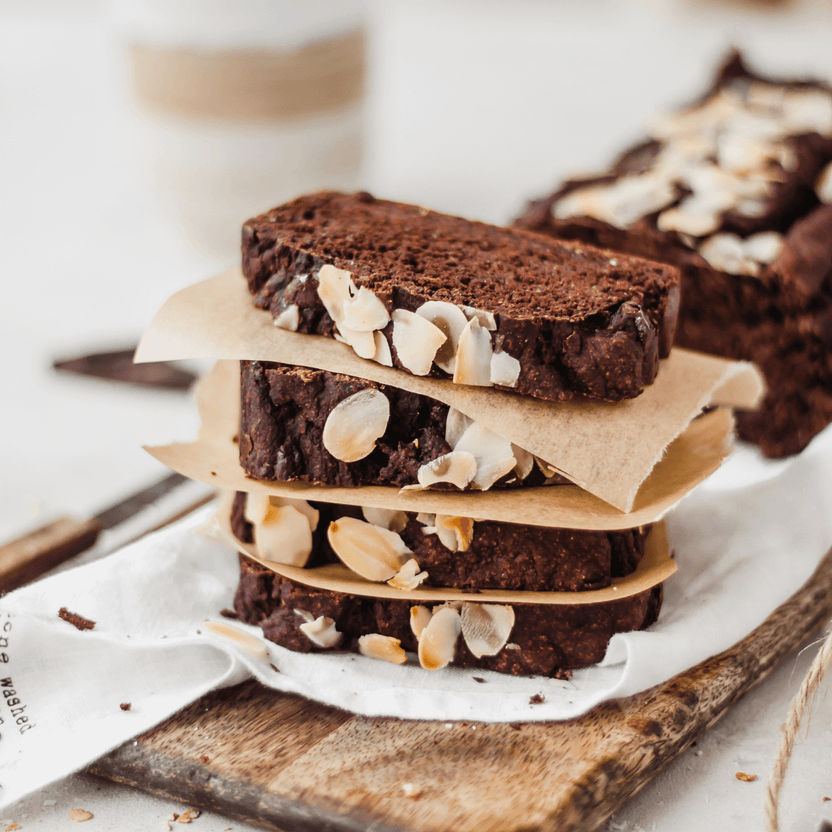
<point x="736" y="191"/>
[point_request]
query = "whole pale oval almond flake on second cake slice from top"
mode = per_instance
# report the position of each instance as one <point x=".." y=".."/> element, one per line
<point x="355" y="424"/>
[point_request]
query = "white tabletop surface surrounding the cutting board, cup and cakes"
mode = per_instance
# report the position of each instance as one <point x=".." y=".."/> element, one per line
<point x="474" y="107"/>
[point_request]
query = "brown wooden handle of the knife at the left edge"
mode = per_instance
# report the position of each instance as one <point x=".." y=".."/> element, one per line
<point x="26" y="558"/>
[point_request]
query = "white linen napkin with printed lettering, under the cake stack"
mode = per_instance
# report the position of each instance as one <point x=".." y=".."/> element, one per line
<point x="745" y="541"/>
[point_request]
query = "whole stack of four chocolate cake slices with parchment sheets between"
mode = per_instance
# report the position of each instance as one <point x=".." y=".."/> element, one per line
<point x="375" y="516"/>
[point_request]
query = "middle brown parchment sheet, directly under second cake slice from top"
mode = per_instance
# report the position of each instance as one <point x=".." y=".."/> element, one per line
<point x="213" y="458"/>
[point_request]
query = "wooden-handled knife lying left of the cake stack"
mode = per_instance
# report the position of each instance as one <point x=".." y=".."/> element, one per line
<point x="27" y="557"/>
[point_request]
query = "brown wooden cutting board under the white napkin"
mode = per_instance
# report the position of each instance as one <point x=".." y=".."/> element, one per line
<point x="282" y="762"/>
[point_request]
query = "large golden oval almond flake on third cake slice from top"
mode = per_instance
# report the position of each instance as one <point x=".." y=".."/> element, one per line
<point x="374" y="553"/>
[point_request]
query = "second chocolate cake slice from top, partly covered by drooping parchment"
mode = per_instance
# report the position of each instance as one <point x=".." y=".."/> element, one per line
<point x="320" y="427"/>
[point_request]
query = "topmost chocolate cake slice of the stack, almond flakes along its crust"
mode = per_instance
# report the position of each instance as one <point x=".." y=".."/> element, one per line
<point x="431" y="293"/>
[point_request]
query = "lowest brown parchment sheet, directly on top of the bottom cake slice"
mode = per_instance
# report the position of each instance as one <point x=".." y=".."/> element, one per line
<point x="655" y="567"/>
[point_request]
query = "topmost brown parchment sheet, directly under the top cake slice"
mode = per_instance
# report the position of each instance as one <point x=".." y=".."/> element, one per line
<point x="607" y="449"/>
